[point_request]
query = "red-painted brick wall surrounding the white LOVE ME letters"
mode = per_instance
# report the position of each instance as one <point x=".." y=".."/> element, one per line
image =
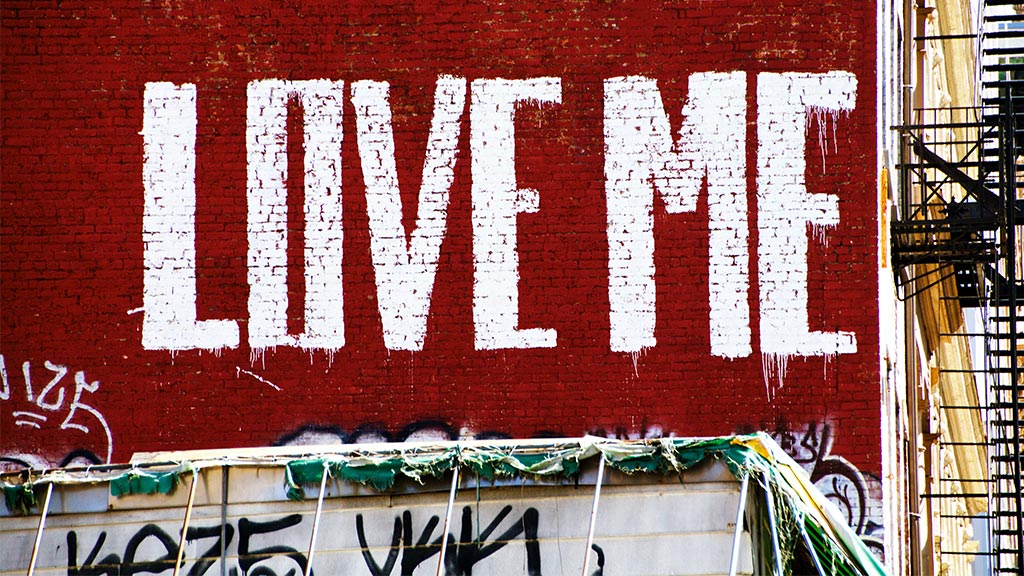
<point x="73" y="202"/>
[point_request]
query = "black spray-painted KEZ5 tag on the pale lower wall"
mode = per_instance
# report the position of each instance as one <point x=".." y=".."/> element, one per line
<point x="151" y="537"/>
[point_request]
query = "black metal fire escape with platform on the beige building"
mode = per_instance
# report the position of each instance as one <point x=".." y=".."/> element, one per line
<point x="959" y="234"/>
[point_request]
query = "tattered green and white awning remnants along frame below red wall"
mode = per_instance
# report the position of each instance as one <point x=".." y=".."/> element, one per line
<point x="796" y="517"/>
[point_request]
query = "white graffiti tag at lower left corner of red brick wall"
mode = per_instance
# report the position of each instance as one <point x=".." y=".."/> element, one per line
<point x="34" y="405"/>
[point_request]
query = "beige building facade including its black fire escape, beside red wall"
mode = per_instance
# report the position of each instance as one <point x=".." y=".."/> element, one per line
<point x="955" y="413"/>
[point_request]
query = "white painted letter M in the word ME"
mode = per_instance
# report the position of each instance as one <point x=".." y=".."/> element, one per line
<point x="642" y="158"/>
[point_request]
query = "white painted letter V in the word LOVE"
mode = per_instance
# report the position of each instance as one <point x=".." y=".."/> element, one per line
<point x="405" y="270"/>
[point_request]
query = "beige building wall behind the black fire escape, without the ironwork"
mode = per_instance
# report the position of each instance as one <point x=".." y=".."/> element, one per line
<point x="936" y="457"/>
